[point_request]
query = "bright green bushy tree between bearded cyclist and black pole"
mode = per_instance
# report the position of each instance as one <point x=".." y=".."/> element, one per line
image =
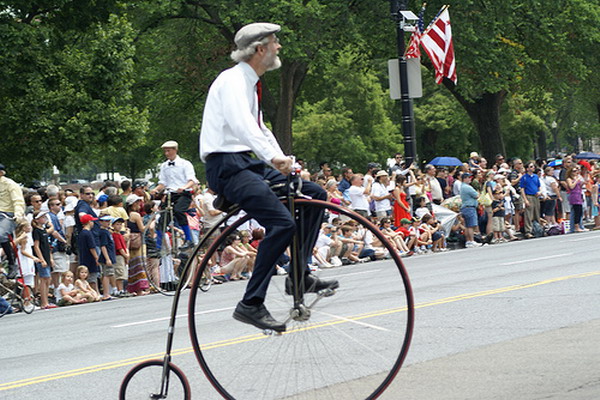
<point x="351" y="125"/>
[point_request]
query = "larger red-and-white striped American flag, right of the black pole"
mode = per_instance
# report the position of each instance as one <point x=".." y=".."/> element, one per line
<point x="437" y="43"/>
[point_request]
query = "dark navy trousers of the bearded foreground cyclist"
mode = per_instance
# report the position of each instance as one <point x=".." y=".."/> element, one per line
<point x="241" y="179"/>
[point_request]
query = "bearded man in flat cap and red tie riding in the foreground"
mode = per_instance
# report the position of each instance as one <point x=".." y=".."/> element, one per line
<point x="236" y="146"/>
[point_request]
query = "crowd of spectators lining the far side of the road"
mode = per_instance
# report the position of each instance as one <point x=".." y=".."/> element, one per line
<point x="78" y="246"/>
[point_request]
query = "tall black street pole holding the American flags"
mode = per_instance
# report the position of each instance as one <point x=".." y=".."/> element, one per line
<point x="408" y="126"/>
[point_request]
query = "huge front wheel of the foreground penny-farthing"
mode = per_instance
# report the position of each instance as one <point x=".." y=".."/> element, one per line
<point x="352" y="346"/>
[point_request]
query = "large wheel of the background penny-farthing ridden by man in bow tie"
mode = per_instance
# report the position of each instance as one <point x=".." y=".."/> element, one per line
<point x="162" y="274"/>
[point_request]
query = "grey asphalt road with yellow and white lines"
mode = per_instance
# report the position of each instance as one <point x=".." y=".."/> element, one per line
<point x="518" y="320"/>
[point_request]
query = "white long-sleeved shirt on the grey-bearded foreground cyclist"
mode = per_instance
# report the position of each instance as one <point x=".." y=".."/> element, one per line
<point x="230" y="120"/>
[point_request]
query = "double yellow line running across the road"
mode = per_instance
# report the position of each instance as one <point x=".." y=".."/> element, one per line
<point x="257" y="336"/>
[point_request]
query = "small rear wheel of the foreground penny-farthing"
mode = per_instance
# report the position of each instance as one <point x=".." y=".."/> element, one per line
<point x="145" y="378"/>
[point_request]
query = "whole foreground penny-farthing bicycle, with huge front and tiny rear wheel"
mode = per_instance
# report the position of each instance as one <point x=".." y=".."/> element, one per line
<point x="349" y="343"/>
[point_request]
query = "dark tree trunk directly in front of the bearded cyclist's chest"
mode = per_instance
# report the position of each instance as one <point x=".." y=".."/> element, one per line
<point x="280" y="113"/>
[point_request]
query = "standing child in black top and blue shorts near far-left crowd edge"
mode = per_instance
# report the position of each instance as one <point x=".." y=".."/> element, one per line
<point x="41" y="249"/>
